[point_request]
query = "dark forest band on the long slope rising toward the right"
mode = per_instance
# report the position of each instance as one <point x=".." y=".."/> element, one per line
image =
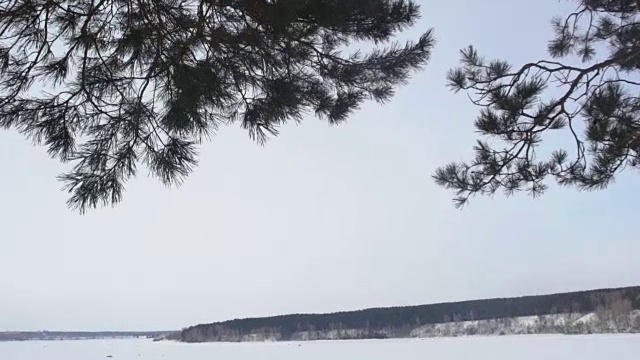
<point x="377" y="322"/>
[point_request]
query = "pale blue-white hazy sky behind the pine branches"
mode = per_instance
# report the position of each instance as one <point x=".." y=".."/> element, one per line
<point x="322" y="218"/>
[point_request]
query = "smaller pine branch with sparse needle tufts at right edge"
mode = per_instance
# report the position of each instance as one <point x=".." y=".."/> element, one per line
<point x="514" y="109"/>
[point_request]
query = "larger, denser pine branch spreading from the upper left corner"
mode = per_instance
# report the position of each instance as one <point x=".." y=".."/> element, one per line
<point x="131" y="83"/>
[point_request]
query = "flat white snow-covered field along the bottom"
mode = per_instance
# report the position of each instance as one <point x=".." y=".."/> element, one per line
<point x="525" y="347"/>
